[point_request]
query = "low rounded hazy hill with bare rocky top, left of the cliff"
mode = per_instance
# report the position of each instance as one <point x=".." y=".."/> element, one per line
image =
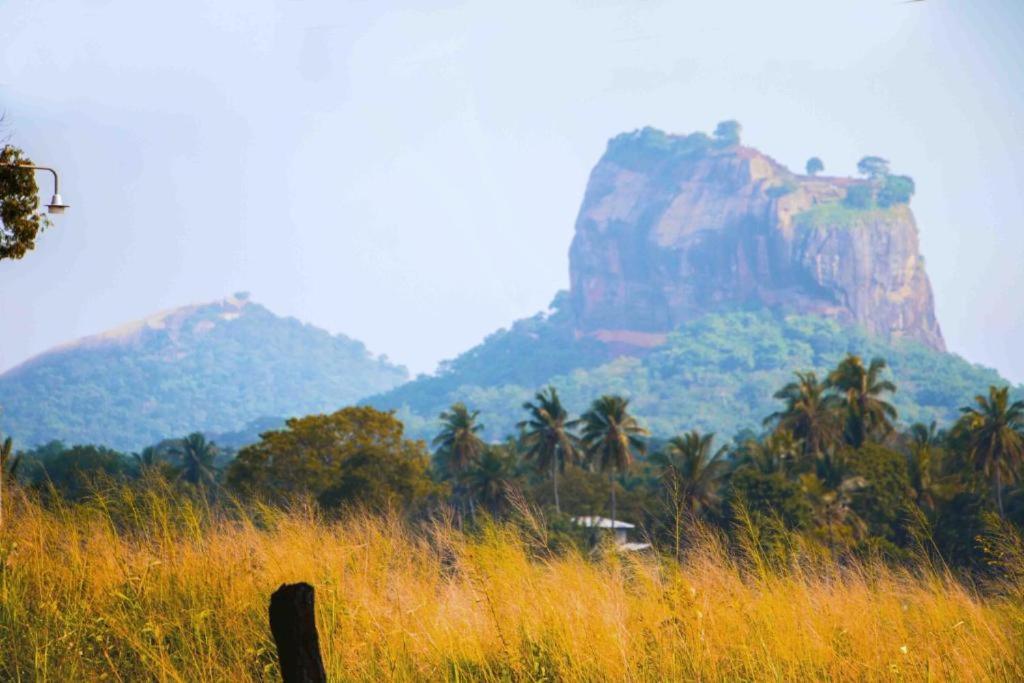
<point x="214" y="368"/>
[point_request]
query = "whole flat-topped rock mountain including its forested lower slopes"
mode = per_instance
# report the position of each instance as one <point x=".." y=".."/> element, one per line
<point x="703" y="275"/>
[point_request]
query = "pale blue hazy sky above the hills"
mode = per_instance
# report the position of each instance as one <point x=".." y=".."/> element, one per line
<point x="410" y="174"/>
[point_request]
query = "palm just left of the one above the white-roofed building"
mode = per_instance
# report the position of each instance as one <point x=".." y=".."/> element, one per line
<point x="547" y="437"/>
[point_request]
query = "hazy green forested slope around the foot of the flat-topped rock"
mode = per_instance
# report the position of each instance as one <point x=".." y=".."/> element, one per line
<point x="717" y="373"/>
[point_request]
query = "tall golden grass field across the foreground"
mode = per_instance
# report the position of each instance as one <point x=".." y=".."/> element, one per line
<point x="175" y="592"/>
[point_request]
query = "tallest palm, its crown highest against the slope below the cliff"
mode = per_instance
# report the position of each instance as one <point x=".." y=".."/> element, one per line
<point x="868" y="414"/>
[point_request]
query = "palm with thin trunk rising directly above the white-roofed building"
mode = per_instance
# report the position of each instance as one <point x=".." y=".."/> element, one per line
<point x="611" y="436"/>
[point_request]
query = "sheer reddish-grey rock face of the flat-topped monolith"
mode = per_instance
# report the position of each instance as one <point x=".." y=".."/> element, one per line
<point x="675" y="227"/>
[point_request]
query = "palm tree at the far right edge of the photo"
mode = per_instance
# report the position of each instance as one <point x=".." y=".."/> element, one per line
<point x="996" y="443"/>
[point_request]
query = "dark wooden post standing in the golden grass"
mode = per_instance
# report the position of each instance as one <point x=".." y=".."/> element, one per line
<point x="293" y="625"/>
